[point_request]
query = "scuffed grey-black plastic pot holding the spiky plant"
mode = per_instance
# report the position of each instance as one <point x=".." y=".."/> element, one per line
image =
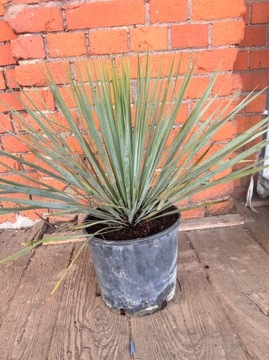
<point x="137" y="277"/>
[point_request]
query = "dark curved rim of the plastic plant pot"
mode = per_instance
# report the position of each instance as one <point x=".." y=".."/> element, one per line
<point x="131" y="241"/>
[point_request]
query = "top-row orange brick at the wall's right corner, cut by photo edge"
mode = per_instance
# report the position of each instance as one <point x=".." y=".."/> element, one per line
<point x="214" y="10"/>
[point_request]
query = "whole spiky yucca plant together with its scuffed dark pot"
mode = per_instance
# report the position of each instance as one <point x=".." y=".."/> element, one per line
<point x="113" y="158"/>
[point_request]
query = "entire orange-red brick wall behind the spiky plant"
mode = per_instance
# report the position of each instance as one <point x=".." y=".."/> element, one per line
<point x="64" y="33"/>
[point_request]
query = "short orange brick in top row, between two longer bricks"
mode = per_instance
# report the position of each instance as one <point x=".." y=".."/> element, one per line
<point x="168" y="11"/>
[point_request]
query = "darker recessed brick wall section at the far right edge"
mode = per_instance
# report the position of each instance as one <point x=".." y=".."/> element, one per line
<point x="252" y="64"/>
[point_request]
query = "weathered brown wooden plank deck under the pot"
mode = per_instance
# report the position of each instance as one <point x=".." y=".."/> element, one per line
<point x="220" y="311"/>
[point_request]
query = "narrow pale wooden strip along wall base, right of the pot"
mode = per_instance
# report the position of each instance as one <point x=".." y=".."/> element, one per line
<point x="211" y="222"/>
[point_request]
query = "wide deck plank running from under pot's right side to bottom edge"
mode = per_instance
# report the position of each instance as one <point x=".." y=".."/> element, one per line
<point x="192" y="326"/>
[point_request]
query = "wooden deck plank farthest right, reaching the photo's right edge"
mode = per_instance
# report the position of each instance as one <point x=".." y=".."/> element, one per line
<point x="237" y="268"/>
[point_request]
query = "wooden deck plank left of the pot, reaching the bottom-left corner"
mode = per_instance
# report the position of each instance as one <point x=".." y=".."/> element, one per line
<point x="26" y="327"/>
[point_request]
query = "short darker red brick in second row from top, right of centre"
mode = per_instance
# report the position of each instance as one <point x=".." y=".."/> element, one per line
<point x="189" y="35"/>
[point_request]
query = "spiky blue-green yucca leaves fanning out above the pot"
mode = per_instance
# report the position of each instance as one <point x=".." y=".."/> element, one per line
<point x="122" y="172"/>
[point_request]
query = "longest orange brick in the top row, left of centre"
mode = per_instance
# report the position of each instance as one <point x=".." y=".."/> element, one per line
<point x="105" y="14"/>
